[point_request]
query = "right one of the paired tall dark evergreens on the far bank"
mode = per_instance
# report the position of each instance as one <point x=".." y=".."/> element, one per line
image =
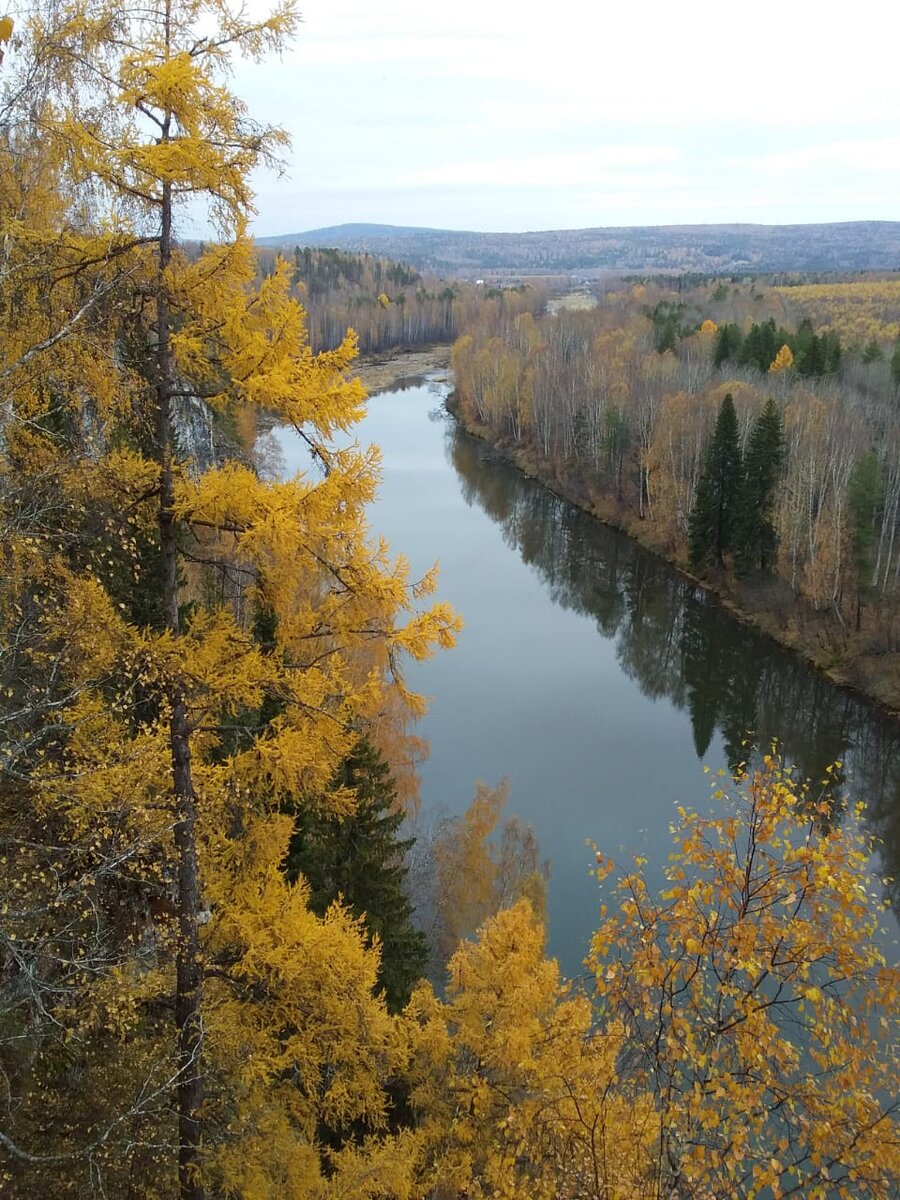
<point x="755" y="537"/>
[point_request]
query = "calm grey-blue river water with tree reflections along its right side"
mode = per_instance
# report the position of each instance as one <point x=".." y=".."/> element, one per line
<point x="590" y="674"/>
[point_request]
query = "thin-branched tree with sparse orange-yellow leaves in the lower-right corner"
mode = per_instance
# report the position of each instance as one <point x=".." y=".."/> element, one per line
<point x="759" y="1010"/>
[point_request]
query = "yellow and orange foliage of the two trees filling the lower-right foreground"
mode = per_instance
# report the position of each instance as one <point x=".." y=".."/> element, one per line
<point x="735" y="1036"/>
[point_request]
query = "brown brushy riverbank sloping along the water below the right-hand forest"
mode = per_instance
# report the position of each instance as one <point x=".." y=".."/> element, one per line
<point x="875" y="677"/>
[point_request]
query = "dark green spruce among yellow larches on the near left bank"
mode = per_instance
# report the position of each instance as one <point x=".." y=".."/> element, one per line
<point x="361" y="861"/>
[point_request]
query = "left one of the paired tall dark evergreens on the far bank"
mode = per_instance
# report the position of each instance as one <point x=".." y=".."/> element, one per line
<point x="711" y="532"/>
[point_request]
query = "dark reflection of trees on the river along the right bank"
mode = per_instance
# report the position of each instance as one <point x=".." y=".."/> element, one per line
<point x="677" y="643"/>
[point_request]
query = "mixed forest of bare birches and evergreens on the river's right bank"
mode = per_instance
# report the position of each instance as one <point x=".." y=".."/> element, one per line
<point x="747" y="431"/>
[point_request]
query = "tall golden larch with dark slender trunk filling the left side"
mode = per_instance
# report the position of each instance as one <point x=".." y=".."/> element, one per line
<point x="191" y="650"/>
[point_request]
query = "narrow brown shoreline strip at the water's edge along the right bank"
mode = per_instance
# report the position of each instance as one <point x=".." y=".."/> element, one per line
<point x="886" y="706"/>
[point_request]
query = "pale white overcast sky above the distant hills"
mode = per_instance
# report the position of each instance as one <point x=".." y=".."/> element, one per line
<point x="488" y="115"/>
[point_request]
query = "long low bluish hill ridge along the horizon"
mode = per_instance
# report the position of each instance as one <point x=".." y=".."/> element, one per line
<point x="843" y="247"/>
